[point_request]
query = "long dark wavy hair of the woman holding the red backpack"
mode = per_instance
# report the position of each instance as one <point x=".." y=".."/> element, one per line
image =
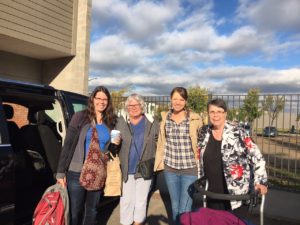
<point x="108" y="116"/>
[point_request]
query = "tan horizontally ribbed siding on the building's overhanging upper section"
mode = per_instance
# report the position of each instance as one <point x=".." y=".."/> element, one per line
<point x="50" y="22"/>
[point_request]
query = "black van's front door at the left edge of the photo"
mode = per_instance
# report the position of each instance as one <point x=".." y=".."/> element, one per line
<point x="7" y="179"/>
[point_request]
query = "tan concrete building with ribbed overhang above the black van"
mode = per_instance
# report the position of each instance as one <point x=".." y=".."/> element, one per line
<point x="46" y="42"/>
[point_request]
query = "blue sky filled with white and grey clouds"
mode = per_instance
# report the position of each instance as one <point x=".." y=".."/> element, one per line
<point x="226" y="46"/>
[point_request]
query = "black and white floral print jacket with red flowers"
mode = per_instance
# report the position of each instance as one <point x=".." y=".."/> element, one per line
<point x="242" y="160"/>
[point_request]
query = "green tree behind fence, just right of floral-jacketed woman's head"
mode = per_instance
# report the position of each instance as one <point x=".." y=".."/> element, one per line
<point x="251" y="108"/>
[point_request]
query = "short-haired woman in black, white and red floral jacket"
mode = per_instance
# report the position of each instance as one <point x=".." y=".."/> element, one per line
<point x="229" y="159"/>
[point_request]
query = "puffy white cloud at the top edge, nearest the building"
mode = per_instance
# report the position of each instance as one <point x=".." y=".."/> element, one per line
<point x="139" y="21"/>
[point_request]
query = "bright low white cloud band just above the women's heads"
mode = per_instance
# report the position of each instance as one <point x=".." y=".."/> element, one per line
<point x="218" y="80"/>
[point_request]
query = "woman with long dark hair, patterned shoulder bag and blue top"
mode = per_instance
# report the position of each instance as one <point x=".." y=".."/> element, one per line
<point x="89" y="130"/>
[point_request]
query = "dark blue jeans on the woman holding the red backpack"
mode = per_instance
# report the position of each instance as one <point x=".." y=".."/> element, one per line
<point x="83" y="203"/>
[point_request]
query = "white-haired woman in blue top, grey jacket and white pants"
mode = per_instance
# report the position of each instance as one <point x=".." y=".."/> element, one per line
<point x="139" y="134"/>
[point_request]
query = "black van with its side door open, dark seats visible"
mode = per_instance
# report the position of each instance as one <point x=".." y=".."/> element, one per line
<point x="33" y="123"/>
